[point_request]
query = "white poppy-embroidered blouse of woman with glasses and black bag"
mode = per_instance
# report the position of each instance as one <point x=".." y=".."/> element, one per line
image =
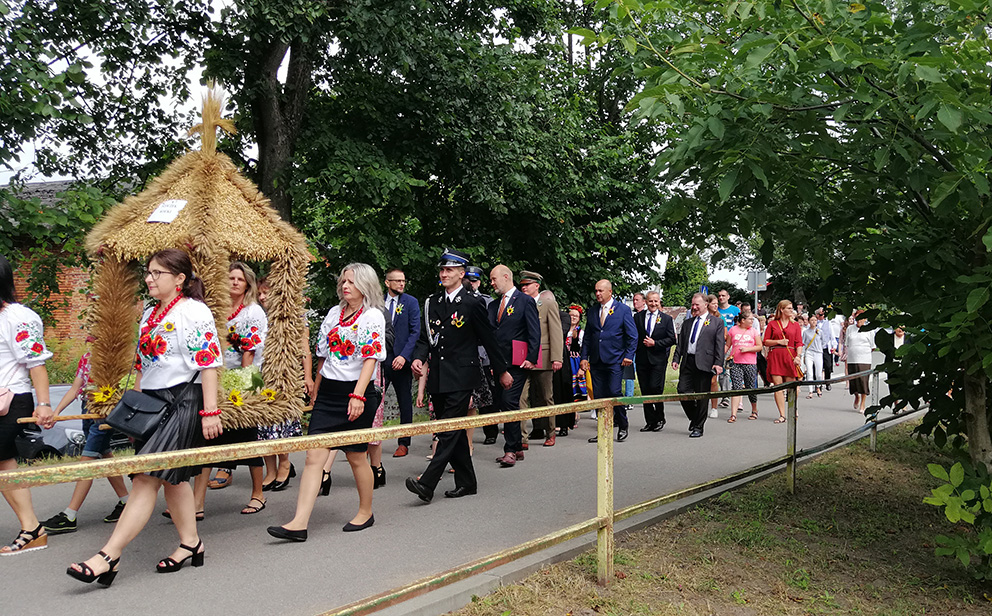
<point x="183" y="343"/>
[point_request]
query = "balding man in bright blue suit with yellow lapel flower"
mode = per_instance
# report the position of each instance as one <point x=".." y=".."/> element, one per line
<point x="609" y="345"/>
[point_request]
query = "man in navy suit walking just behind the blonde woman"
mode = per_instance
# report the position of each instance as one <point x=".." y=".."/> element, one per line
<point x="404" y="313"/>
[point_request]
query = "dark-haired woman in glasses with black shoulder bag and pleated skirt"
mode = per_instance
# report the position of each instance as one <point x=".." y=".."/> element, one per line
<point x="178" y="343"/>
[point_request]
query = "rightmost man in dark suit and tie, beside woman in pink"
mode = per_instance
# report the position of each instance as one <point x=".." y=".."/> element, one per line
<point x="700" y="352"/>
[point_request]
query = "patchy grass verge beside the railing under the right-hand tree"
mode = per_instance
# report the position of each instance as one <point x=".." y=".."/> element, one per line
<point x="855" y="539"/>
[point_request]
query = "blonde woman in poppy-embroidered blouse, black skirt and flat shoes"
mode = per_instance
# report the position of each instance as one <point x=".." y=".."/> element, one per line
<point x="351" y="342"/>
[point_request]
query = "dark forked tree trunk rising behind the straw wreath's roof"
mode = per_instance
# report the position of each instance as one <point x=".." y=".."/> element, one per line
<point x="277" y="113"/>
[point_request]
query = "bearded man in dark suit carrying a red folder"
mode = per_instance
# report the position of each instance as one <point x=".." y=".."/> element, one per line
<point x="517" y="325"/>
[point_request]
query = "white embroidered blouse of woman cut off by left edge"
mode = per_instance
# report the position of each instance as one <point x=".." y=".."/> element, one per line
<point x="22" y="347"/>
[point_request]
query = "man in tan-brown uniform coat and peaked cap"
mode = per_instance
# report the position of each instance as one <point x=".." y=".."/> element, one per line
<point x="539" y="388"/>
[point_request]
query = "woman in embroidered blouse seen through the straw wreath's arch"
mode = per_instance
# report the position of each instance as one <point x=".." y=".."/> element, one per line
<point x="246" y="330"/>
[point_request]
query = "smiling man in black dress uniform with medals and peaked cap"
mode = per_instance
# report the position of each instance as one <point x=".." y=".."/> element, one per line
<point x="455" y="324"/>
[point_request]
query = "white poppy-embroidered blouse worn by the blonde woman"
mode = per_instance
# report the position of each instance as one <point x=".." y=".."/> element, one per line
<point x="345" y="349"/>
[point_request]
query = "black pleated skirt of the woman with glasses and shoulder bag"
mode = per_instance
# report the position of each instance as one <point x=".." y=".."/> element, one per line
<point x="182" y="430"/>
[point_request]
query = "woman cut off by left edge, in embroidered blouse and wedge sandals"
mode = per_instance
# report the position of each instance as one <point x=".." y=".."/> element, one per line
<point x="22" y="365"/>
